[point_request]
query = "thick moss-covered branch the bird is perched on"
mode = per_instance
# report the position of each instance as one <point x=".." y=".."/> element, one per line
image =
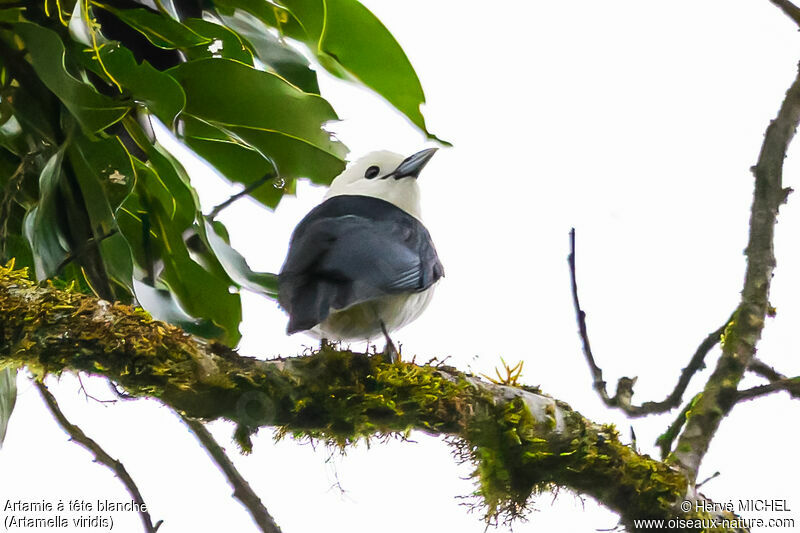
<point x="520" y="440"/>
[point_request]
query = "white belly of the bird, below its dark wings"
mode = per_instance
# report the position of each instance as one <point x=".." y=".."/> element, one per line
<point x="363" y="321"/>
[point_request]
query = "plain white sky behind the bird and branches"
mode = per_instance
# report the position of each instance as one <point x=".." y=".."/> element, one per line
<point x="634" y="121"/>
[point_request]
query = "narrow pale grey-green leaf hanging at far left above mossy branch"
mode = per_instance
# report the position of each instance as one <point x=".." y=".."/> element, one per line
<point x="42" y="227"/>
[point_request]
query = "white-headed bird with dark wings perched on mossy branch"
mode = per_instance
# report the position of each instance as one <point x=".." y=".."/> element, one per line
<point x="361" y="264"/>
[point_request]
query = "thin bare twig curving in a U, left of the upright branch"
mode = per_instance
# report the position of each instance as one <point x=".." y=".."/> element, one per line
<point x="624" y="393"/>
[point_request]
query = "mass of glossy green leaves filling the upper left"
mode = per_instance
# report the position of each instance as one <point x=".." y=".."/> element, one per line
<point x="89" y="196"/>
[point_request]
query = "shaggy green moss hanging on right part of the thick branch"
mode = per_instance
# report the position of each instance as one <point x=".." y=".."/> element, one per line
<point x="513" y="463"/>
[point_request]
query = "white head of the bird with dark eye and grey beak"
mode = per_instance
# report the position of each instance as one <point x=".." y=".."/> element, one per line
<point x="385" y="175"/>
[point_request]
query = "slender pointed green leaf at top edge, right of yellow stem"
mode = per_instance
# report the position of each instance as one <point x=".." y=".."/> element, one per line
<point x="160" y="30"/>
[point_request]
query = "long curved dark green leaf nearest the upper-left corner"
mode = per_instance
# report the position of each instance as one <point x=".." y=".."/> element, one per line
<point x="93" y="110"/>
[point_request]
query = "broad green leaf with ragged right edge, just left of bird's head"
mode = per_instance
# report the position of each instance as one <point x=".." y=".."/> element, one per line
<point x="270" y="120"/>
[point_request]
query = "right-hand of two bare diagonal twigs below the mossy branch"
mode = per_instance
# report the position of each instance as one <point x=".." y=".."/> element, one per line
<point x="241" y="488"/>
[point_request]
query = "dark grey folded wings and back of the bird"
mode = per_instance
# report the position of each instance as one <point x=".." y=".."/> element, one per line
<point x="337" y="262"/>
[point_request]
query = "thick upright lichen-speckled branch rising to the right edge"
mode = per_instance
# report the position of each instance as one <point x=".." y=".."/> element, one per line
<point x="744" y="330"/>
